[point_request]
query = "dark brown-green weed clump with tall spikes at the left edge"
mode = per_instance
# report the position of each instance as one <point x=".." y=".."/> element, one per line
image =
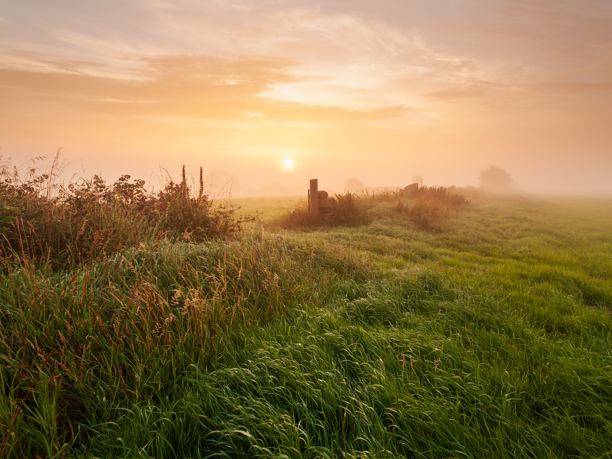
<point x="88" y="218"/>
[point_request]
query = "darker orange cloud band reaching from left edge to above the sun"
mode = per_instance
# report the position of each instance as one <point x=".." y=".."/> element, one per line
<point x="176" y="86"/>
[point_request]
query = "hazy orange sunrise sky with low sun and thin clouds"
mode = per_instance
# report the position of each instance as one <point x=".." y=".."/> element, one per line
<point x="273" y="93"/>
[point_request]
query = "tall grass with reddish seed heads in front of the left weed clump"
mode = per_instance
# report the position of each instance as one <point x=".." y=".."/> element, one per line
<point x="118" y="332"/>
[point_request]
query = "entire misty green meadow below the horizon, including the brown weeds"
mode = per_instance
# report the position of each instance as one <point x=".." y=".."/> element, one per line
<point x="485" y="333"/>
